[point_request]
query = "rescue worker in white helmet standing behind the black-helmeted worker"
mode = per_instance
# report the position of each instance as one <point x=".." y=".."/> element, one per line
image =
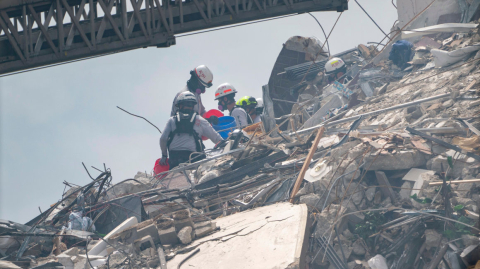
<point x="200" y="79"/>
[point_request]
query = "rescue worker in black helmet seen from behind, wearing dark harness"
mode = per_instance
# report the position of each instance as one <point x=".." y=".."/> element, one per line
<point x="182" y="134"/>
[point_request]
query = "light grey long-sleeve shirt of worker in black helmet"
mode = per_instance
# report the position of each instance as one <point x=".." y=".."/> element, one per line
<point x="183" y="141"/>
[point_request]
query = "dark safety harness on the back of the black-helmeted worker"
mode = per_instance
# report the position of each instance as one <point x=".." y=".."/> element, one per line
<point x="184" y="125"/>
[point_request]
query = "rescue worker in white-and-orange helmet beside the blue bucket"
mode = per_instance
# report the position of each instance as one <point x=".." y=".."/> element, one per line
<point x="225" y="95"/>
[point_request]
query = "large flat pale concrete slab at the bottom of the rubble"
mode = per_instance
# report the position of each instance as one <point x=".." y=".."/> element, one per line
<point x="273" y="236"/>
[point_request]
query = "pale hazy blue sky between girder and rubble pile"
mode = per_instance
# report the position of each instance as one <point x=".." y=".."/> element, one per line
<point x="54" y="119"/>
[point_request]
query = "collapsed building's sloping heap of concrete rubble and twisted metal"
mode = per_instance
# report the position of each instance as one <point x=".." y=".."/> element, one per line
<point x="380" y="172"/>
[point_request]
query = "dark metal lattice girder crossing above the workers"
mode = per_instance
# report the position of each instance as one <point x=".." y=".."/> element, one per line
<point x="75" y="29"/>
